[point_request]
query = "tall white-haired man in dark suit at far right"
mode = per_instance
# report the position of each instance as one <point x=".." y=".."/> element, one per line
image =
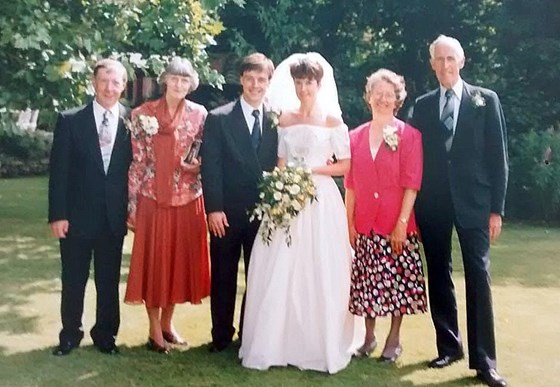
<point x="464" y="185"/>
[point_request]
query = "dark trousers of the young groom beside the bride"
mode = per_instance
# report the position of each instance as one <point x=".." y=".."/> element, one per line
<point x="224" y="256"/>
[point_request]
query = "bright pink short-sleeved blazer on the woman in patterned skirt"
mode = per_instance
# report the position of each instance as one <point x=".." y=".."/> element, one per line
<point x="379" y="184"/>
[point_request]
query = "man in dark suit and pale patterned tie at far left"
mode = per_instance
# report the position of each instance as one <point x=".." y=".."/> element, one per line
<point x="88" y="193"/>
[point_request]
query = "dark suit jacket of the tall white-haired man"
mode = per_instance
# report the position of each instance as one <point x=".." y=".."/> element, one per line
<point x="475" y="171"/>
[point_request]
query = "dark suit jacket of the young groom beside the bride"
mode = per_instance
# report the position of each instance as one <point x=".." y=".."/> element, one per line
<point x="231" y="168"/>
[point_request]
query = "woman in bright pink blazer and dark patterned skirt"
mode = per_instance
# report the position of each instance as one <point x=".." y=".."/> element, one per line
<point x="381" y="186"/>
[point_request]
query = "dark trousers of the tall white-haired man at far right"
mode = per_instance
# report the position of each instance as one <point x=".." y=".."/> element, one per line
<point x="475" y="245"/>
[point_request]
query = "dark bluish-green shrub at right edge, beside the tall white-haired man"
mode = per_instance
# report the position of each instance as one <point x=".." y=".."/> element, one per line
<point x="534" y="190"/>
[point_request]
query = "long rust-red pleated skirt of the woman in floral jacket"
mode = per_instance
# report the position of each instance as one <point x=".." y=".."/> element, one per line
<point x="170" y="262"/>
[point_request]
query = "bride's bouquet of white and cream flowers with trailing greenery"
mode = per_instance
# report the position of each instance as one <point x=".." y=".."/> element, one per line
<point x="284" y="192"/>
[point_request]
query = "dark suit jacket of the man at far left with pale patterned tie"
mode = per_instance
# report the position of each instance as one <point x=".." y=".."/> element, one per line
<point x="79" y="190"/>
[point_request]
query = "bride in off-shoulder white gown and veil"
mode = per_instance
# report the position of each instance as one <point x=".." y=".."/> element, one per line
<point x="296" y="310"/>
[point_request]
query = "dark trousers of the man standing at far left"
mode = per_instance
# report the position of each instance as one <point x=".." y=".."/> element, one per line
<point x="76" y="254"/>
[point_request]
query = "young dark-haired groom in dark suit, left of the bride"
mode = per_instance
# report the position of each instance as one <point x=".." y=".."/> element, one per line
<point x="239" y="143"/>
